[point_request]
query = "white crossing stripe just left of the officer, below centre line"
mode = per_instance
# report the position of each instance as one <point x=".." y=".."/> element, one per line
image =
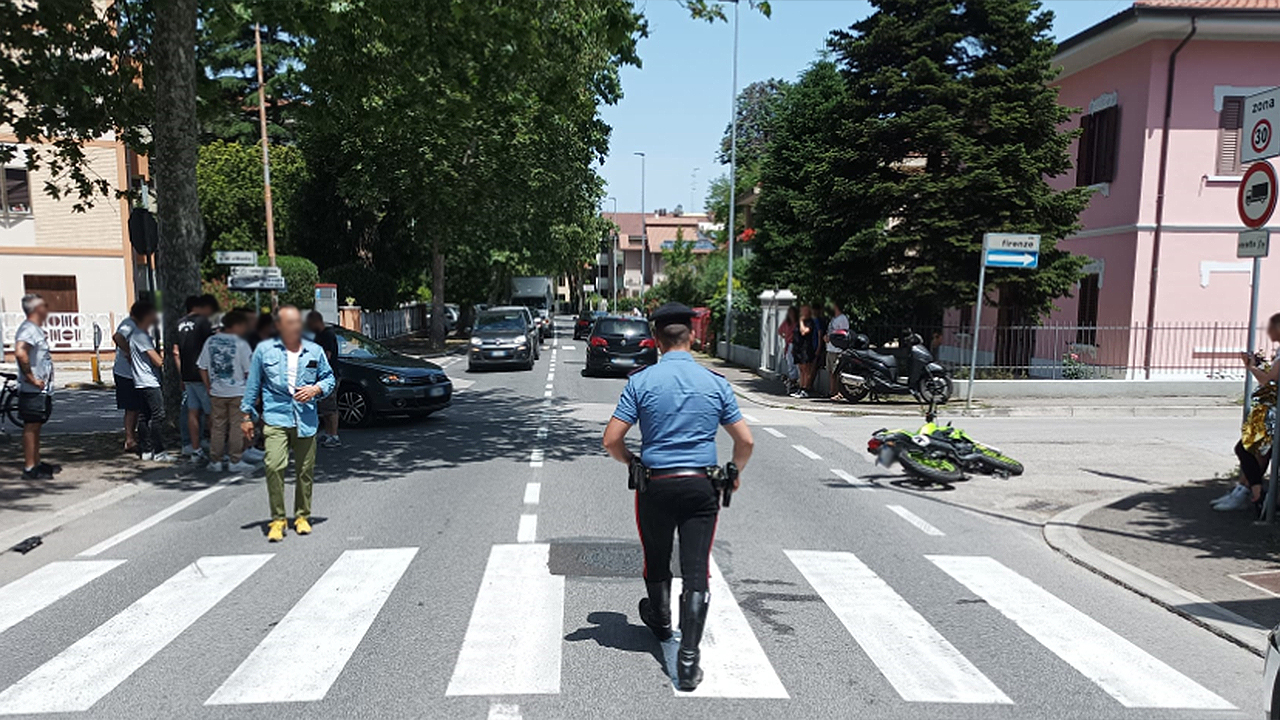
<point x="514" y="640"/>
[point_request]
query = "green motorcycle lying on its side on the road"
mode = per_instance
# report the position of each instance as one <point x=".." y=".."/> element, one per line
<point x="939" y="454"/>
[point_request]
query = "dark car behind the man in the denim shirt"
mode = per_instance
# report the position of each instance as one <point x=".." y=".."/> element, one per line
<point x="378" y="381"/>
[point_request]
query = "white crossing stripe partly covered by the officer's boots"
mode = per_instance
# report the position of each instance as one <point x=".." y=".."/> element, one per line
<point x="735" y="663"/>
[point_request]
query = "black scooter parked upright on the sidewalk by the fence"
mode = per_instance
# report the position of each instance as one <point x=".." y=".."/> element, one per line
<point x="862" y="372"/>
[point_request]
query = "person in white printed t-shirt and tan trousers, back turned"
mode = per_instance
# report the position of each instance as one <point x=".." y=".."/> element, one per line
<point x="223" y="364"/>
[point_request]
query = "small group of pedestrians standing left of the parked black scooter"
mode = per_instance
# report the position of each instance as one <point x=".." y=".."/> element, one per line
<point x="808" y="348"/>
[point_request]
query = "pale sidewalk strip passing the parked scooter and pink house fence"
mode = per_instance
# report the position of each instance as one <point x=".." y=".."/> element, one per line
<point x="771" y="393"/>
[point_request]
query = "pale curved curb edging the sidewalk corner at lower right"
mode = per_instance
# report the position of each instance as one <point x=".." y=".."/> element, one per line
<point x="1063" y="534"/>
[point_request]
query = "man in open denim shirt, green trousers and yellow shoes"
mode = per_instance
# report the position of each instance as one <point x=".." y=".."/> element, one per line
<point x="290" y="375"/>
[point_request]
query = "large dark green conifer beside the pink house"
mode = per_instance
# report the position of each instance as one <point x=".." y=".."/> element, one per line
<point x="940" y="126"/>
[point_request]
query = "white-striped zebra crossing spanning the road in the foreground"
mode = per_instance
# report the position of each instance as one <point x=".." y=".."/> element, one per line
<point x="513" y="645"/>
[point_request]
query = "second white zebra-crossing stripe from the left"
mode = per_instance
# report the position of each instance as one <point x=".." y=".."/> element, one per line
<point x="84" y="673"/>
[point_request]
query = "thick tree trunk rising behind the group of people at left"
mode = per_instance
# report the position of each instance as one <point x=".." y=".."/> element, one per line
<point x="173" y="165"/>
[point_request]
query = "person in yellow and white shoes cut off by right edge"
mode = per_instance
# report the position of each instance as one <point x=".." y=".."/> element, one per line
<point x="1254" y="450"/>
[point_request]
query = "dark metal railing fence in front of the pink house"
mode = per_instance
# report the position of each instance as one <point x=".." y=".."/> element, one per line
<point x="1164" y="350"/>
